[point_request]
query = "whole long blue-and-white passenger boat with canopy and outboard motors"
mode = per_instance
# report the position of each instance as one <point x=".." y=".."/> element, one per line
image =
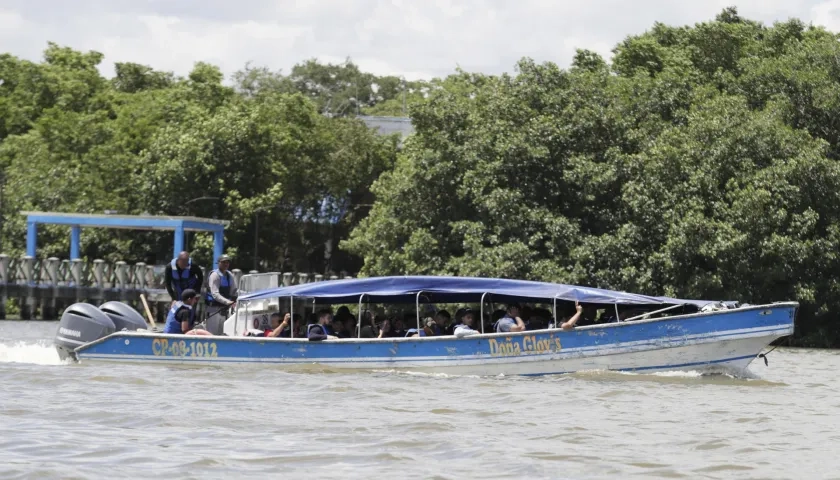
<point x="632" y="332"/>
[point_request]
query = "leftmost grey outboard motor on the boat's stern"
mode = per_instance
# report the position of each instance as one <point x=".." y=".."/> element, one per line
<point x="81" y="323"/>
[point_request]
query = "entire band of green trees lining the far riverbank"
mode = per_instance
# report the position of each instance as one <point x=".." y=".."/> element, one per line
<point x="700" y="161"/>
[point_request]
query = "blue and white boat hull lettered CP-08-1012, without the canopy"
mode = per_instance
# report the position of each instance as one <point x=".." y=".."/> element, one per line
<point x="725" y="340"/>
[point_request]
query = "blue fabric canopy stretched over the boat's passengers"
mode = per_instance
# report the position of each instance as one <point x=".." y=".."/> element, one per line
<point x="404" y="289"/>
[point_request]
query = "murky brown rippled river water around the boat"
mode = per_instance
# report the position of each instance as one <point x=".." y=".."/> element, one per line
<point x="112" y="421"/>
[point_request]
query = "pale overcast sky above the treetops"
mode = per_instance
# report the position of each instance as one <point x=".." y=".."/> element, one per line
<point x="415" y="38"/>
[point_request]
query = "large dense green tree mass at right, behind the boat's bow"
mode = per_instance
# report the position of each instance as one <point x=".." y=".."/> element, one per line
<point x="702" y="162"/>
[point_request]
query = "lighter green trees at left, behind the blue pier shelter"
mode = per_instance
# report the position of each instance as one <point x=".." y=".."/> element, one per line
<point x="147" y="142"/>
